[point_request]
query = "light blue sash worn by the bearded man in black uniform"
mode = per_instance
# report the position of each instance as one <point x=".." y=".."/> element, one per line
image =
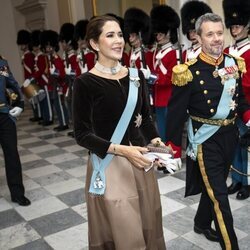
<point x="223" y="109"/>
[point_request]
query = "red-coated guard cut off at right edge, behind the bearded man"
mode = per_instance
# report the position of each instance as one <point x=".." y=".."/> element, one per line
<point x="237" y="19"/>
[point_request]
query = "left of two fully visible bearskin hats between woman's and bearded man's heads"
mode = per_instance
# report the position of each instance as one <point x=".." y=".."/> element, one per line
<point x="137" y="21"/>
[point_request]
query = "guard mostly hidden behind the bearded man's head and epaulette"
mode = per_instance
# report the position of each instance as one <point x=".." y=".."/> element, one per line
<point x="190" y="12"/>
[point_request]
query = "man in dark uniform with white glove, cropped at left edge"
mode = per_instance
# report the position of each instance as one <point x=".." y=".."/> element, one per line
<point x="10" y="95"/>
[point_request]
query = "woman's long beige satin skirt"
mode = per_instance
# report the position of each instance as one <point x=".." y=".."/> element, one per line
<point x="128" y="216"/>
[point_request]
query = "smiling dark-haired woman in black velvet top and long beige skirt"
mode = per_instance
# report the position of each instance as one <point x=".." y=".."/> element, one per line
<point x="128" y="214"/>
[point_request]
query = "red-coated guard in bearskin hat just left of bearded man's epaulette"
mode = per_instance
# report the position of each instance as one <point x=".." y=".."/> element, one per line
<point x="165" y="57"/>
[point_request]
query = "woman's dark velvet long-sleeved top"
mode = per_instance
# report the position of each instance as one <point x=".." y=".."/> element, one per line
<point x="98" y="104"/>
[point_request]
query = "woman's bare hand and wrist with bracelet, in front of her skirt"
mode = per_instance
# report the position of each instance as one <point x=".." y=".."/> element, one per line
<point x="133" y="153"/>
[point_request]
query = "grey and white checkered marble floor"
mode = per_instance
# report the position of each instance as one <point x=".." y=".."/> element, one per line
<point x="54" y="169"/>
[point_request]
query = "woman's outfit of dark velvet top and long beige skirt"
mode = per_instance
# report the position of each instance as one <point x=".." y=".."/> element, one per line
<point x="128" y="216"/>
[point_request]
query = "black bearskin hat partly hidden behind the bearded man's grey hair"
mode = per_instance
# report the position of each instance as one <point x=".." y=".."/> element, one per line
<point x="190" y="12"/>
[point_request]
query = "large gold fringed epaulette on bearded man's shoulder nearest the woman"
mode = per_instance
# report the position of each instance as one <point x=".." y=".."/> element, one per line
<point x="181" y="74"/>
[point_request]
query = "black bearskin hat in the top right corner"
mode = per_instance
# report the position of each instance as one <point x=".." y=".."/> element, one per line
<point x="236" y="12"/>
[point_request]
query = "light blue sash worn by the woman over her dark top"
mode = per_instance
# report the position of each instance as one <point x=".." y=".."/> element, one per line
<point x="98" y="182"/>
